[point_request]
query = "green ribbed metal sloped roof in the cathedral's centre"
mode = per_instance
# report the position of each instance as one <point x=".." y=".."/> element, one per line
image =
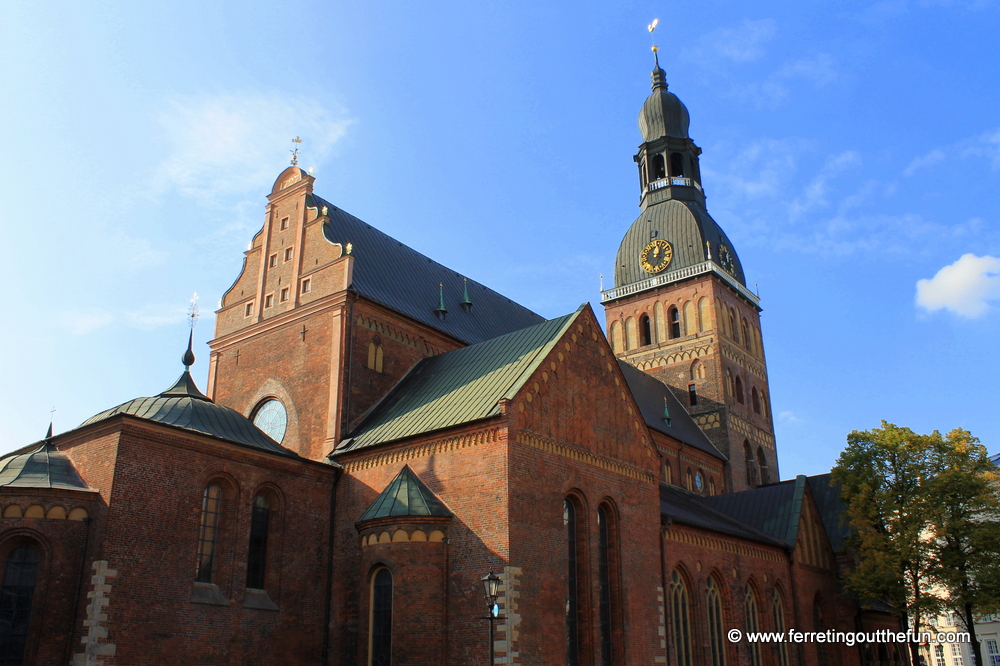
<point x="459" y="386"/>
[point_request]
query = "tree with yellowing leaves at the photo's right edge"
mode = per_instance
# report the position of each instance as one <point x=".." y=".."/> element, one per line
<point x="965" y="524"/>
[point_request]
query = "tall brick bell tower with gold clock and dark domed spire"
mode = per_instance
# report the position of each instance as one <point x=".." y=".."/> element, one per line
<point x="680" y="309"/>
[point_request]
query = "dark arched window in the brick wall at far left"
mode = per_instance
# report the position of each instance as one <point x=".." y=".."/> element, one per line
<point x="15" y="603"/>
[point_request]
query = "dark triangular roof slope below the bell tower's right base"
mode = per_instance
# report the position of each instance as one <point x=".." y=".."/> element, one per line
<point x="774" y="508"/>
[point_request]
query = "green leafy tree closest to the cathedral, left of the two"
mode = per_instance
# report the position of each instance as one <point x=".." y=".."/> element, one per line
<point x="882" y="474"/>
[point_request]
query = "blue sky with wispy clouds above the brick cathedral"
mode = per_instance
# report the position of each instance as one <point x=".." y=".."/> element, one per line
<point x="851" y="152"/>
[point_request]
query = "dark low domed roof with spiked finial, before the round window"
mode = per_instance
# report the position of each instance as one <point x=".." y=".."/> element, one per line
<point x="184" y="406"/>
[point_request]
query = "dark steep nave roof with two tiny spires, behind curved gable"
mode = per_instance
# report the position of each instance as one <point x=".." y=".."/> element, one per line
<point x="400" y="278"/>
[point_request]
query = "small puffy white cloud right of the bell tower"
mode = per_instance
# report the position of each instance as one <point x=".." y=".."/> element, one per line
<point x="965" y="287"/>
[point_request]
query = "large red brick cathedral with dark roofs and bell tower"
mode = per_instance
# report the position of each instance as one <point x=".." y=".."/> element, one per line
<point x="378" y="433"/>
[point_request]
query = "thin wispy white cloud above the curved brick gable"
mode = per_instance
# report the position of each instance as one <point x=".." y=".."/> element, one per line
<point x="229" y="144"/>
